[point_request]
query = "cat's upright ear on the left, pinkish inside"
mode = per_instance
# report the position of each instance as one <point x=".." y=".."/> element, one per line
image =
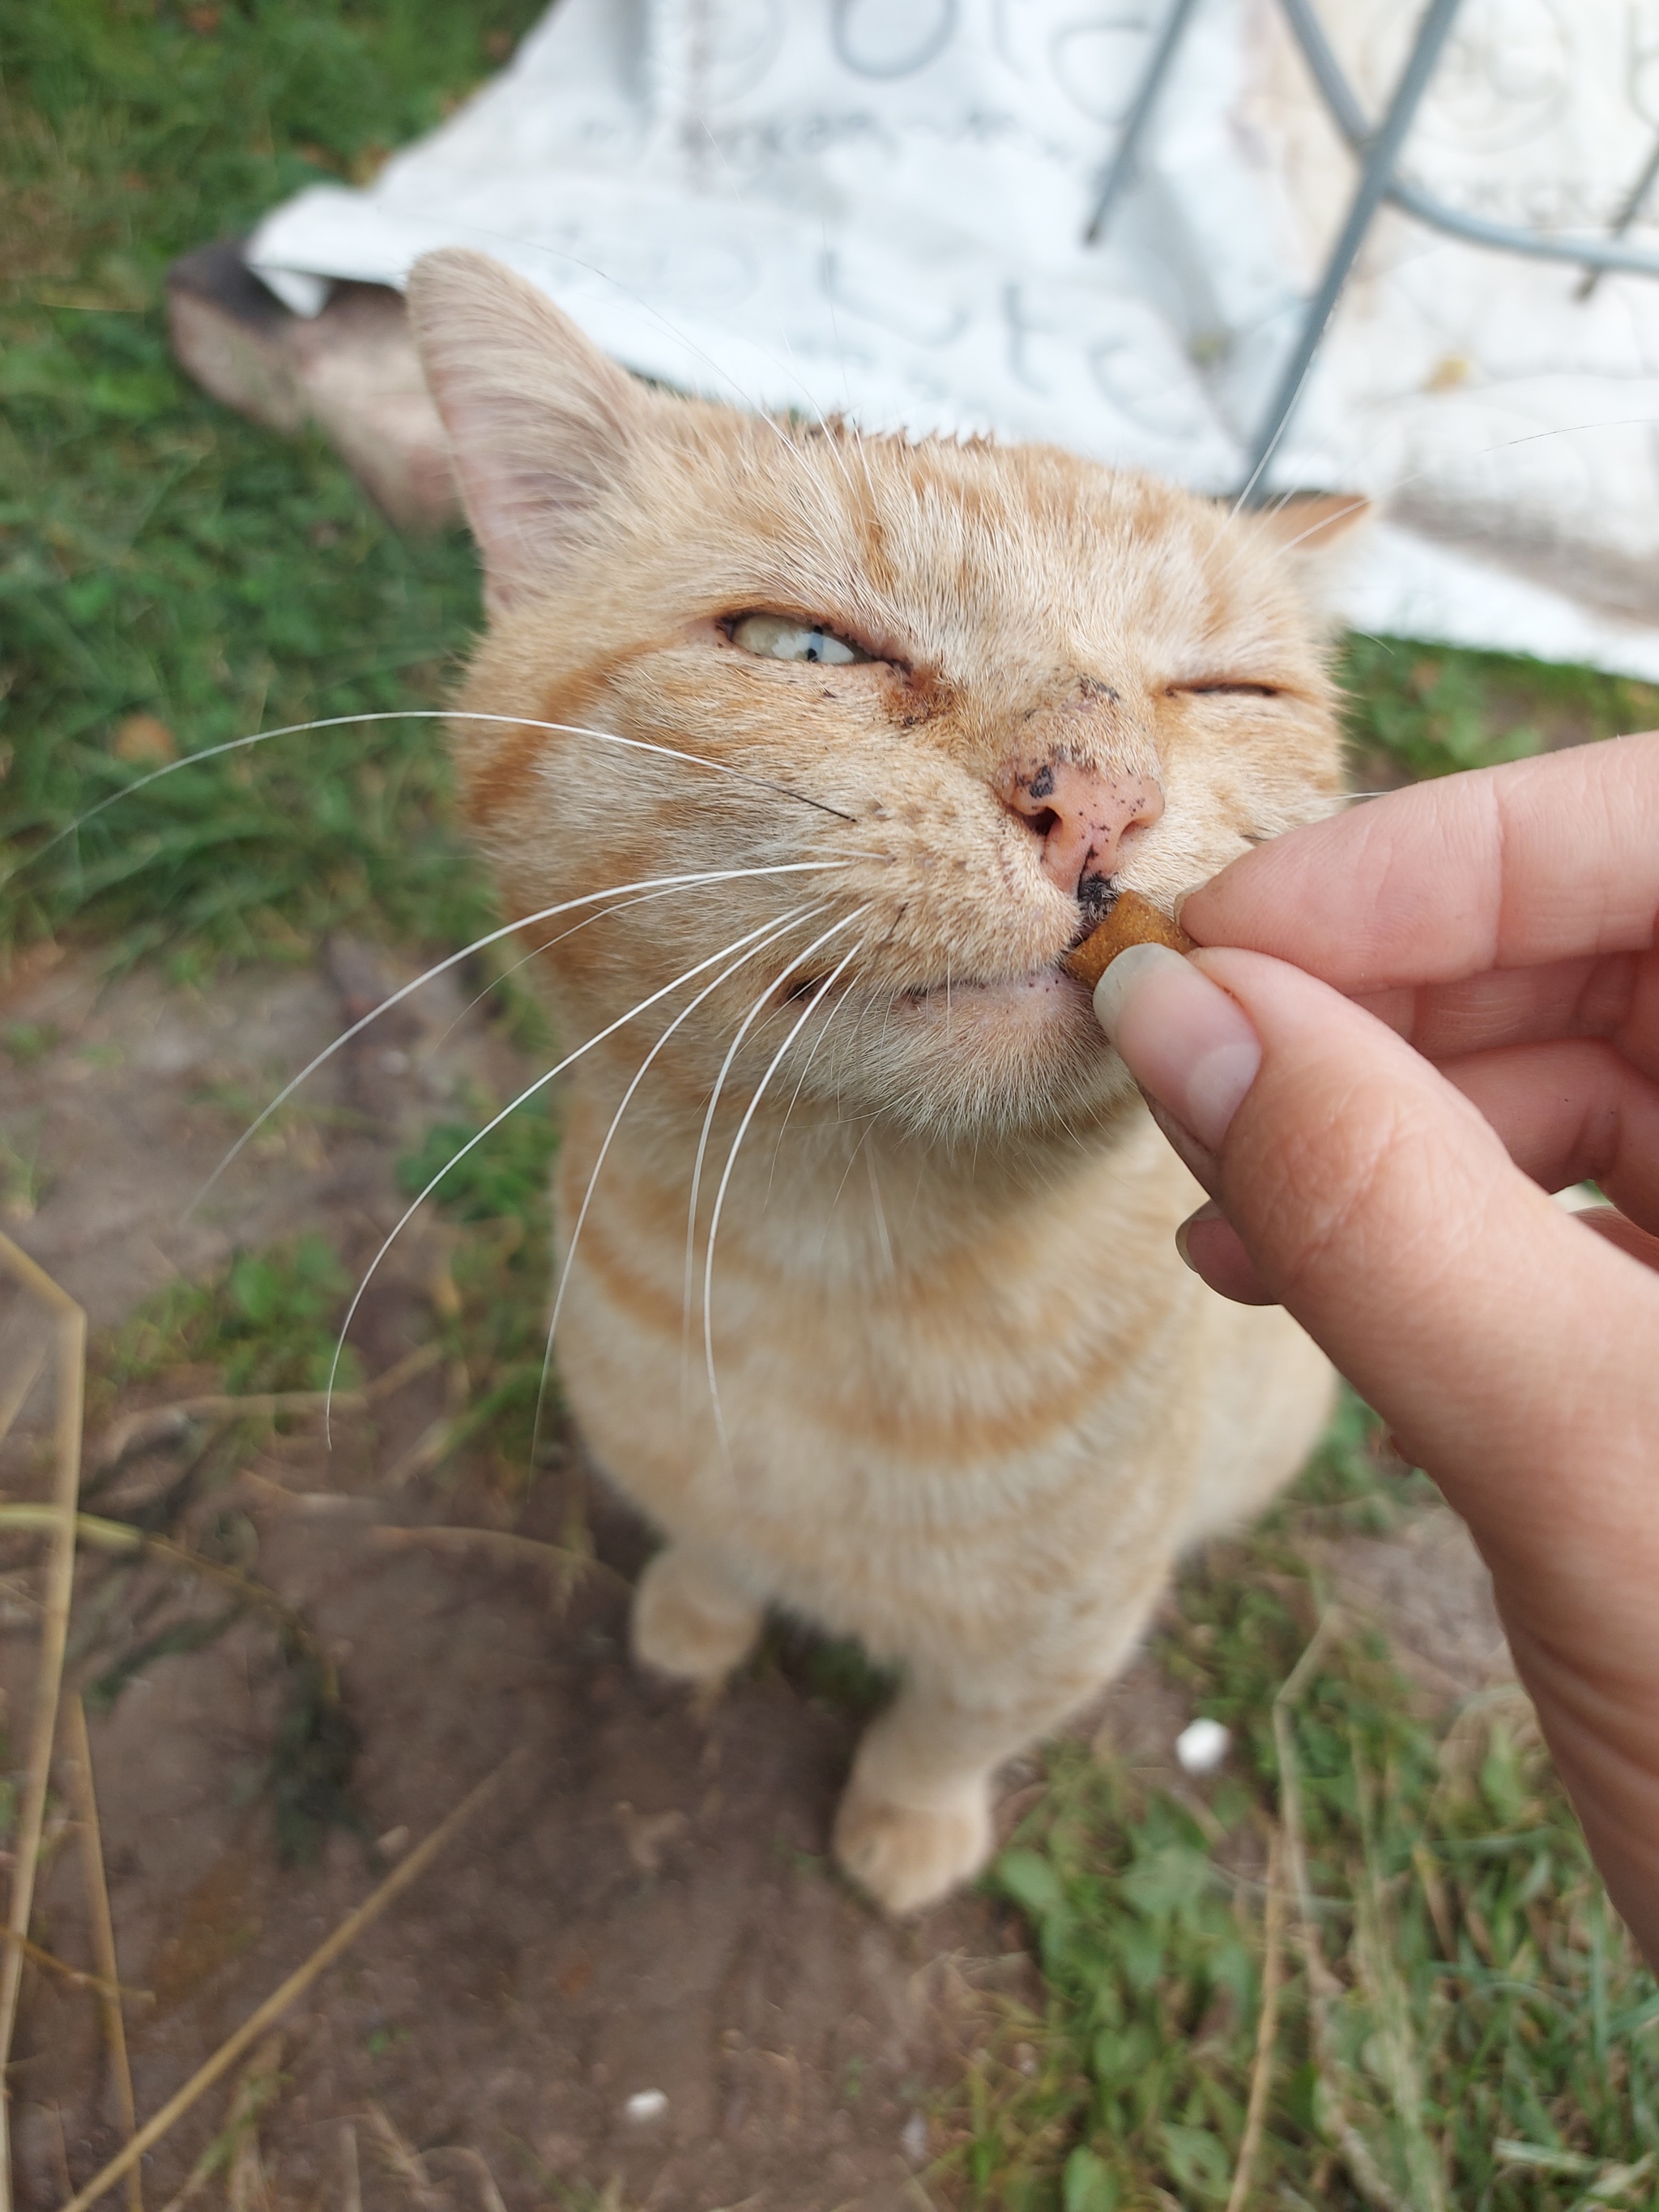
<point x="541" y="421"/>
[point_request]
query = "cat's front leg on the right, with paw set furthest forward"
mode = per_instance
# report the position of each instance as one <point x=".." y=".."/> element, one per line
<point x="917" y="1815"/>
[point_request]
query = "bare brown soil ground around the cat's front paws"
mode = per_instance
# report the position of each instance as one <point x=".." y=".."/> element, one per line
<point x="634" y="1979"/>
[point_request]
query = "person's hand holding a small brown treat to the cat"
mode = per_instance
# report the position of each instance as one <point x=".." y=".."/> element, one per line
<point x="1406" y="1027"/>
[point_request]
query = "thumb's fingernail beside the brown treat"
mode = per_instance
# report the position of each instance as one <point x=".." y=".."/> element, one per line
<point x="1187" y="1043"/>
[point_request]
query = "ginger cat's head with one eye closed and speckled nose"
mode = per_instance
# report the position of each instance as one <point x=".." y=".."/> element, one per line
<point x="930" y="705"/>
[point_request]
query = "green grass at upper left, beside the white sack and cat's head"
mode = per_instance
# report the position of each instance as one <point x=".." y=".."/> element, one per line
<point x="160" y="556"/>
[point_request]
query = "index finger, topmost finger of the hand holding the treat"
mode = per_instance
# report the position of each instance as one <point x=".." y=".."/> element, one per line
<point x="1501" y="868"/>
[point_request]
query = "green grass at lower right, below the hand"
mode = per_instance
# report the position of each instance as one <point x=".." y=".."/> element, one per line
<point x="1490" y="2036"/>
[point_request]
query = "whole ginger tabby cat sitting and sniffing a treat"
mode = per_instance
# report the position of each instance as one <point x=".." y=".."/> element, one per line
<point x="906" y="716"/>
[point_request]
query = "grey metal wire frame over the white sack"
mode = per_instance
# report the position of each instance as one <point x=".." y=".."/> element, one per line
<point x="1379" y="152"/>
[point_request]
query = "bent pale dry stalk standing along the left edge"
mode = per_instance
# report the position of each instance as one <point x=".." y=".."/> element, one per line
<point x="70" y="1328"/>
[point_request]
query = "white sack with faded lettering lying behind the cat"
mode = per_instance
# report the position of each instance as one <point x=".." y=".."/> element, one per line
<point x="879" y="207"/>
